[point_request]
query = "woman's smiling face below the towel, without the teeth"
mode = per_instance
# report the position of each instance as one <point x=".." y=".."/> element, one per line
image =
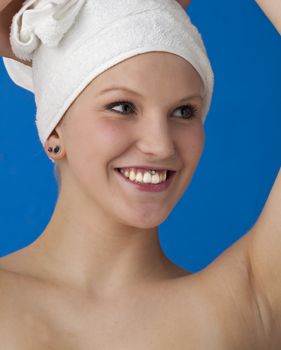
<point x="159" y="125"/>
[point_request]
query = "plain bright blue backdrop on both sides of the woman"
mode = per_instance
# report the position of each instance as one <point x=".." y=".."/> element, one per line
<point x="239" y="164"/>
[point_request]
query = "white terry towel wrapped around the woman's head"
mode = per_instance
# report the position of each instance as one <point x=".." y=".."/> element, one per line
<point x="70" y="42"/>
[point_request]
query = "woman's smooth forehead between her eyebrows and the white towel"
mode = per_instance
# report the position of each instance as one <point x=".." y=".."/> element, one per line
<point x="150" y="70"/>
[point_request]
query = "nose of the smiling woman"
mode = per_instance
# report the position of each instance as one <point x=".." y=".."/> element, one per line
<point x="155" y="137"/>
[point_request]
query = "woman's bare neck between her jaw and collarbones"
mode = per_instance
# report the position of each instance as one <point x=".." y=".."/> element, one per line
<point x="85" y="248"/>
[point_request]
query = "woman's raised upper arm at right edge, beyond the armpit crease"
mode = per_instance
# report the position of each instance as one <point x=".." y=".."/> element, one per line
<point x="265" y="257"/>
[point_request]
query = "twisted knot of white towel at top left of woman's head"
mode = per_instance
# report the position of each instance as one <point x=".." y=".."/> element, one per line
<point x="42" y="22"/>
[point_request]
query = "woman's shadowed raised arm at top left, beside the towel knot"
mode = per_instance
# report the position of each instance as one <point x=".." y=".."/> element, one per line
<point x="8" y="8"/>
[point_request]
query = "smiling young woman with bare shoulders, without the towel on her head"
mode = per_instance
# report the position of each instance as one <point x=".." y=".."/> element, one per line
<point x="97" y="278"/>
